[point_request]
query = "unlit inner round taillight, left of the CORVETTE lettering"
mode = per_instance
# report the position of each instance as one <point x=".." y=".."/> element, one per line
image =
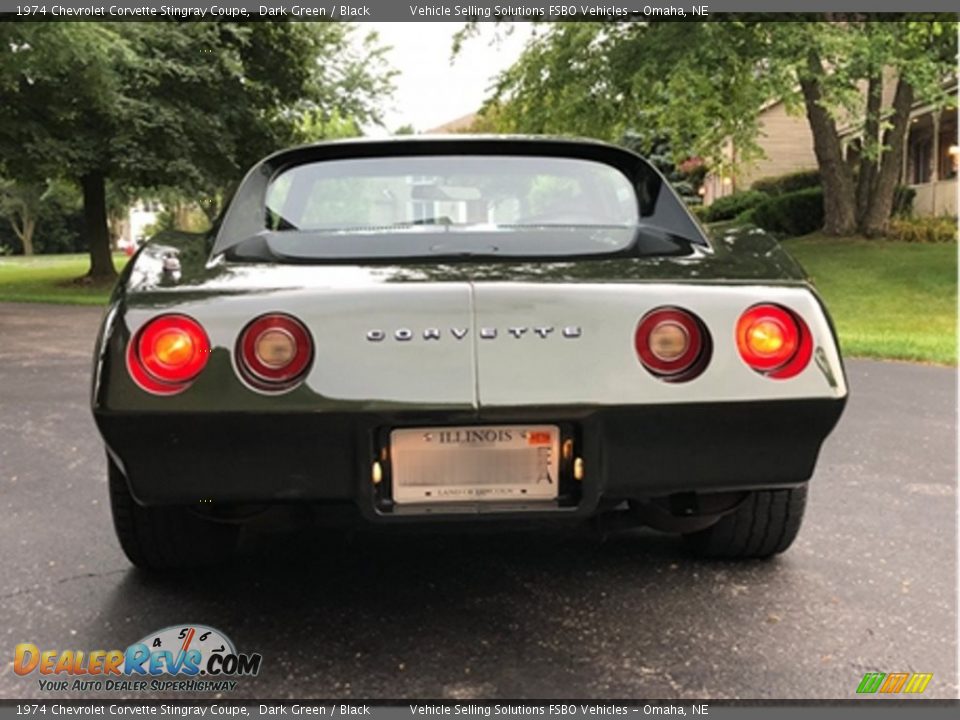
<point x="275" y="351"/>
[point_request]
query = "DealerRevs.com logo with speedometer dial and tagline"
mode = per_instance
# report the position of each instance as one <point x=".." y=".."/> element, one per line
<point x="179" y="658"/>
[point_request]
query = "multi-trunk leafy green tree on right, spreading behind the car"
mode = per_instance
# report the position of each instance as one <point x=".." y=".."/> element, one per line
<point x="700" y="86"/>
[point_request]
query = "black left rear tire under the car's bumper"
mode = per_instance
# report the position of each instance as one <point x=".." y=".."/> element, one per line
<point x="166" y="538"/>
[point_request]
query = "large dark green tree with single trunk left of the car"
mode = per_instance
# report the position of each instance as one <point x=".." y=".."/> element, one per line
<point x="169" y="105"/>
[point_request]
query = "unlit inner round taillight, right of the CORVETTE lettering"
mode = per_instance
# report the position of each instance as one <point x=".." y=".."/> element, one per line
<point x="671" y="343"/>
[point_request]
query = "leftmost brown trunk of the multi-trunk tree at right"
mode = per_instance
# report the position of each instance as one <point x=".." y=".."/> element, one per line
<point x="839" y="200"/>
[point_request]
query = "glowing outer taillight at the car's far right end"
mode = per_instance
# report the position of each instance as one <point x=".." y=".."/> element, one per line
<point x="774" y="341"/>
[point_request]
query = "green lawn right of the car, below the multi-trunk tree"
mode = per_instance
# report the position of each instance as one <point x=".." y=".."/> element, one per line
<point x="888" y="299"/>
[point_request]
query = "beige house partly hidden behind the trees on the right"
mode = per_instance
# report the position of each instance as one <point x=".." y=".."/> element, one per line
<point x="928" y="165"/>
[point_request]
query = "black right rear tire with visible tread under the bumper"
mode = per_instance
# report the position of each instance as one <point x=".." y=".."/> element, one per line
<point x="766" y="523"/>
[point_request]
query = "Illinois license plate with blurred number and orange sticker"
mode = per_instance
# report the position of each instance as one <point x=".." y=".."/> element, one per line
<point x="475" y="463"/>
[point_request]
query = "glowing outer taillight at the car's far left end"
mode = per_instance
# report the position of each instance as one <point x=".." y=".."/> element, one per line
<point x="167" y="354"/>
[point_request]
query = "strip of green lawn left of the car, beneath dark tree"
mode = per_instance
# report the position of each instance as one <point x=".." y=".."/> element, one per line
<point x="51" y="279"/>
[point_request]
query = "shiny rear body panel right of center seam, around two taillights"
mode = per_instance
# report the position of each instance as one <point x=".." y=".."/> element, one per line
<point x="600" y="366"/>
